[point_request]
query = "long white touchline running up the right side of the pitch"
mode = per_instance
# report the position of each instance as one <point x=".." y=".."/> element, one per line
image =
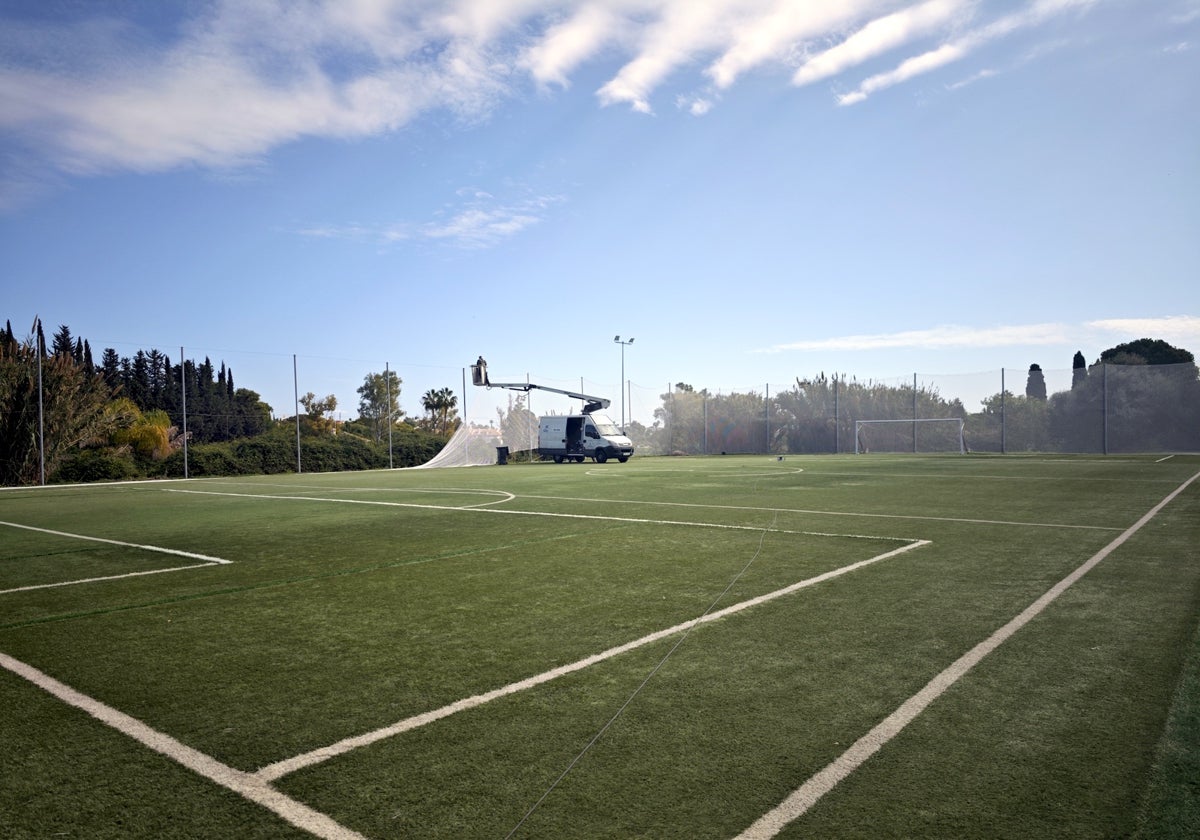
<point x="808" y="794"/>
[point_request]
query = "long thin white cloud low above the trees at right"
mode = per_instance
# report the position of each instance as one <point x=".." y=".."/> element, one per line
<point x="1185" y="329"/>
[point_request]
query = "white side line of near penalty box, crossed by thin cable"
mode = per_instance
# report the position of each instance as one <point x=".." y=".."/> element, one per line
<point x="317" y="757"/>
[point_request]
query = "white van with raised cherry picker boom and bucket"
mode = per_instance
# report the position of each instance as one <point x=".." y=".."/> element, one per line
<point x="569" y="437"/>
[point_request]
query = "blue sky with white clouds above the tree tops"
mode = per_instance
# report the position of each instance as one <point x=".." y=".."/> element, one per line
<point x="754" y="191"/>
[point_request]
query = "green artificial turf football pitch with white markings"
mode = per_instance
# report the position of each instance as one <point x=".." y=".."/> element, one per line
<point x="695" y="647"/>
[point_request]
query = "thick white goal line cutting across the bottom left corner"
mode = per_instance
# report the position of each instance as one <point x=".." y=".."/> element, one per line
<point x="245" y="784"/>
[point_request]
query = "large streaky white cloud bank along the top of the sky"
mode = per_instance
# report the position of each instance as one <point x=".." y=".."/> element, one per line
<point x="225" y="83"/>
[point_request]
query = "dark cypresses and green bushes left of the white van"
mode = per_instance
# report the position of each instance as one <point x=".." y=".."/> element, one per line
<point x="64" y="417"/>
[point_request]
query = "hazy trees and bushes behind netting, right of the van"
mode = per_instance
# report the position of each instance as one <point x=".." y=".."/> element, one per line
<point x="1139" y="397"/>
